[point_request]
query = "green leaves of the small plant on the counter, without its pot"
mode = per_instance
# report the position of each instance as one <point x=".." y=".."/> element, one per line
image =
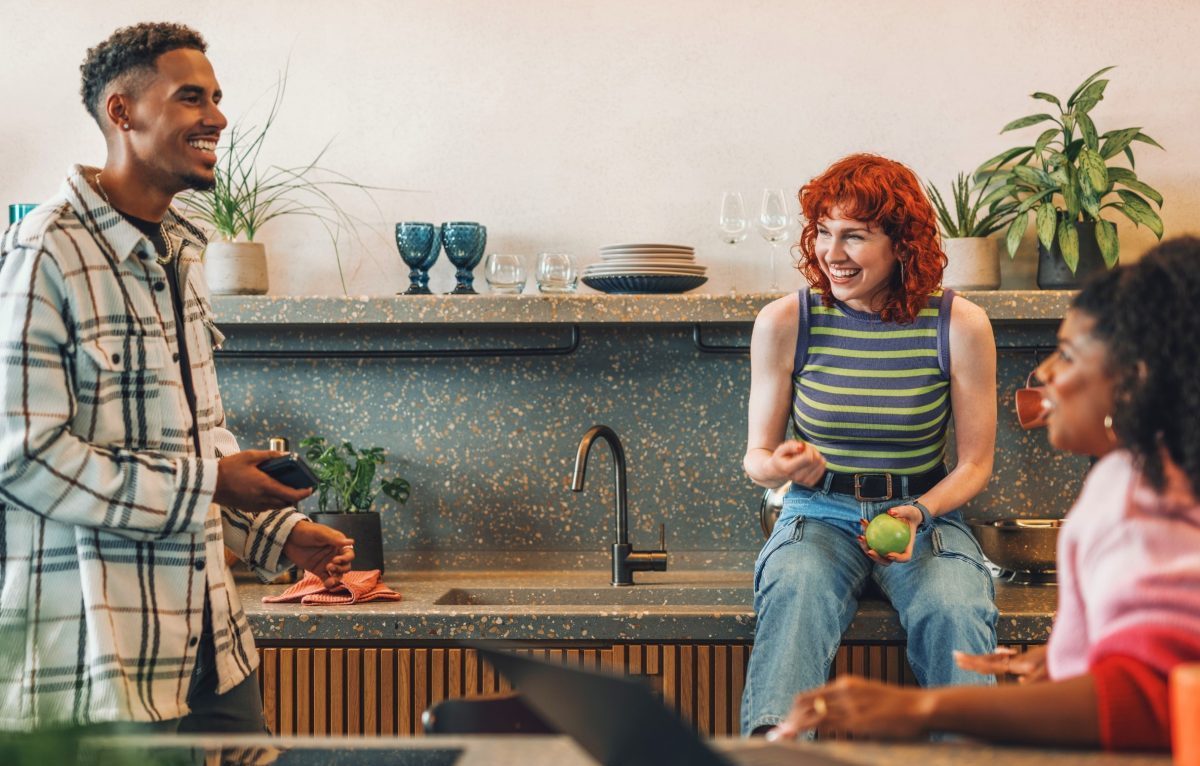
<point x="347" y="480"/>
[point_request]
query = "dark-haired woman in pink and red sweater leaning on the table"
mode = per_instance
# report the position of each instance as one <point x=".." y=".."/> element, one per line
<point x="1124" y="386"/>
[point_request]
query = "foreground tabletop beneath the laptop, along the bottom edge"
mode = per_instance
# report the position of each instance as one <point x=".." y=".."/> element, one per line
<point x="561" y="751"/>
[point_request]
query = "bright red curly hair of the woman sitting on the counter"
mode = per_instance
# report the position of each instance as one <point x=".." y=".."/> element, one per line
<point x="886" y="195"/>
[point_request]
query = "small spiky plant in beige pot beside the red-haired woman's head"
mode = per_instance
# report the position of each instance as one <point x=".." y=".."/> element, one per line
<point x="973" y="255"/>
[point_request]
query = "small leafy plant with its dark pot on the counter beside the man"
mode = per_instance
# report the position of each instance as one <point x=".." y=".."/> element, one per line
<point x="347" y="486"/>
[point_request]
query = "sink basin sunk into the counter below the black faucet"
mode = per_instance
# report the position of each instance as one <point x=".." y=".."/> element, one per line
<point x="634" y="596"/>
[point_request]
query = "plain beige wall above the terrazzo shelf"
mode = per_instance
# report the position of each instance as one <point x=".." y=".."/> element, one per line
<point x="572" y="125"/>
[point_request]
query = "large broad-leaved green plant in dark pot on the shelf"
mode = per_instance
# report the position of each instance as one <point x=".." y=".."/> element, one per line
<point x="1067" y="179"/>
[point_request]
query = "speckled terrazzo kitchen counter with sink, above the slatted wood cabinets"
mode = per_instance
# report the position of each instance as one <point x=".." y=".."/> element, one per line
<point x="691" y="605"/>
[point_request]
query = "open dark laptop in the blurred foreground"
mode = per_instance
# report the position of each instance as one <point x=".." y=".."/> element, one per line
<point x="620" y="721"/>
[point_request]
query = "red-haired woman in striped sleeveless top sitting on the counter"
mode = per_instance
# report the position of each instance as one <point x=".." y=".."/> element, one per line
<point x="867" y="367"/>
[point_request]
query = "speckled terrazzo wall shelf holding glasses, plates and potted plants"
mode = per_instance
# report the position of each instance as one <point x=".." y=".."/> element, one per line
<point x="578" y="309"/>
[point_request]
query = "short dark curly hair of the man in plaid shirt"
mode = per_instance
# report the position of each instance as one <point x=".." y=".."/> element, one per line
<point x="131" y="52"/>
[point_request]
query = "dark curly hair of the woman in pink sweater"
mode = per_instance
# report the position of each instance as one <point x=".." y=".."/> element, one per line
<point x="1148" y="315"/>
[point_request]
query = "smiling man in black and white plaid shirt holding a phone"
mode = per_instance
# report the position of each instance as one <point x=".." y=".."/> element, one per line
<point x="119" y="487"/>
